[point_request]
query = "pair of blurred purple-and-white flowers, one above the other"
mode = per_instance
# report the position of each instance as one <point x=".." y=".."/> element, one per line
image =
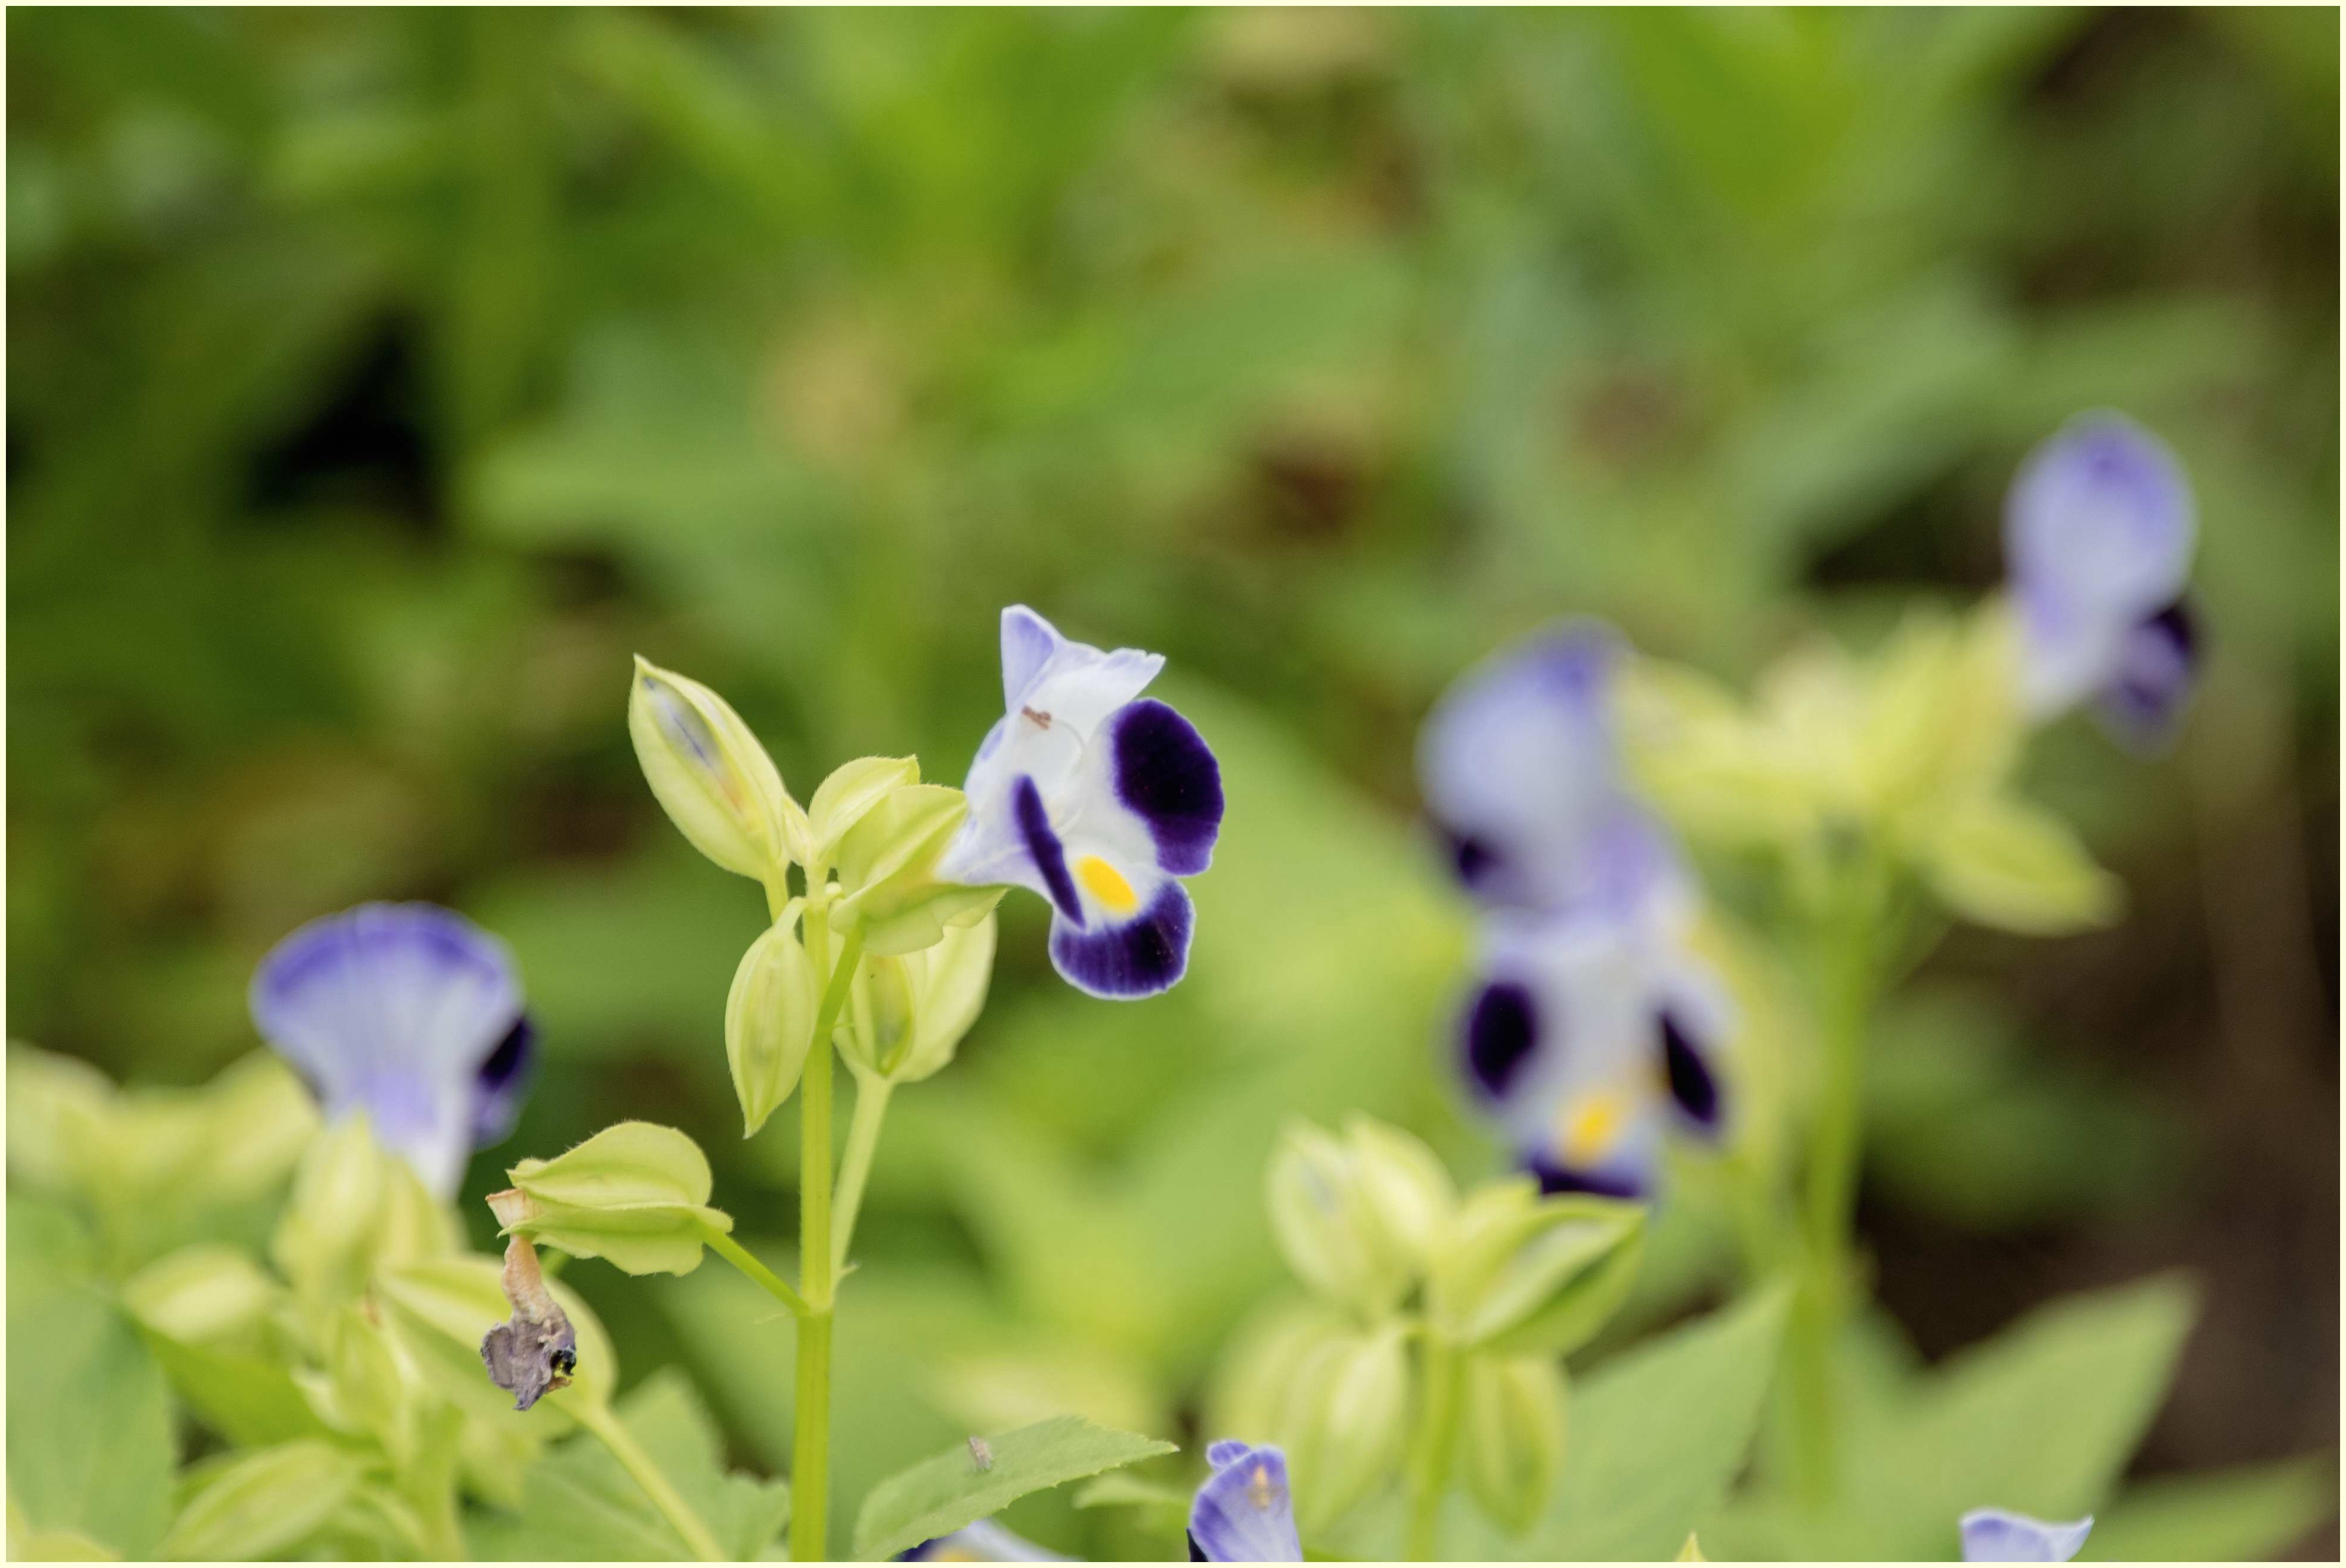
<point x="1592" y="1027"/>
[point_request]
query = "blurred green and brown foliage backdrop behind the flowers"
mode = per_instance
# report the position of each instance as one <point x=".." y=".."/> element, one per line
<point x="381" y="381"/>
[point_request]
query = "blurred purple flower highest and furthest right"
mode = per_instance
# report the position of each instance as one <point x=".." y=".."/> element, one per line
<point x="2098" y="541"/>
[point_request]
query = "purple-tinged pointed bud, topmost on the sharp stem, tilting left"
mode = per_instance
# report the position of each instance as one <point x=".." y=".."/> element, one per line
<point x="712" y="776"/>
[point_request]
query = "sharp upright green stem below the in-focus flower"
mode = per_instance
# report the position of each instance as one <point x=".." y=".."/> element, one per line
<point x="818" y="1271"/>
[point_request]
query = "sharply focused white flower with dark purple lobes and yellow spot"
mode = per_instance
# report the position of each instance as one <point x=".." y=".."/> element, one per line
<point x="1097" y="799"/>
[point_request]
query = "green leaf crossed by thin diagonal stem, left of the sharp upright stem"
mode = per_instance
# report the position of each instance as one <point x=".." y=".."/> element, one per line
<point x="578" y="1503"/>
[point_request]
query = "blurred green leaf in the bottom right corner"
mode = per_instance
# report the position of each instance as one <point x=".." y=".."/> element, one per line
<point x="2251" y="1513"/>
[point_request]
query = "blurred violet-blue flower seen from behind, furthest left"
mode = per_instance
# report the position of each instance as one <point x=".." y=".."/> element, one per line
<point x="412" y="1015"/>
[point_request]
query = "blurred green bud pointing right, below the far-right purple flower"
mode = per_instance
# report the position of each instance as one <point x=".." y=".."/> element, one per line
<point x="2021" y="870"/>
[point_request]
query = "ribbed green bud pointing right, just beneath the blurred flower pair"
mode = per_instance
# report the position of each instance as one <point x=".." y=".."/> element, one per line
<point x="1526" y="1273"/>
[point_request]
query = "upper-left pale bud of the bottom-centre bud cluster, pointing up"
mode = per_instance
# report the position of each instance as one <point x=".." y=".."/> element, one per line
<point x="1329" y="1215"/>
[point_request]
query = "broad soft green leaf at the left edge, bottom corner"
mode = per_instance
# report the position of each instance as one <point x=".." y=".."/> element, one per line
<point x="86" y="1403"/>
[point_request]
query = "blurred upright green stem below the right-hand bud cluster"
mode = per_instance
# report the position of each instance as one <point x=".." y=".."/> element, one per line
<point x="1847" y="980"/>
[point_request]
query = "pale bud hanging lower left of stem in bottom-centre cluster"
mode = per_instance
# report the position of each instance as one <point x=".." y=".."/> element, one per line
<point x="1345" y="1421"/>
